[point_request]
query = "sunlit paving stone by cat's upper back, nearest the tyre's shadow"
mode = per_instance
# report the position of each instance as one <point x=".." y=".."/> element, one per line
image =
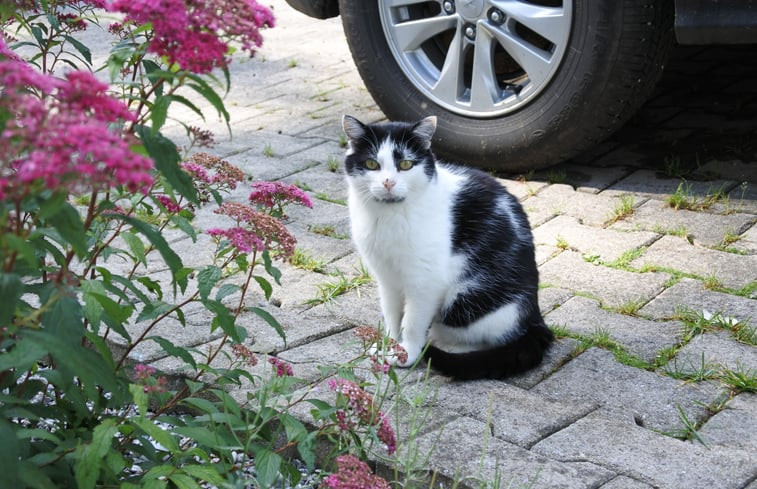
<point x="559" y="199"/>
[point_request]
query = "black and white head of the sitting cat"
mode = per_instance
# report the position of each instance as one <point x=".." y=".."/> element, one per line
<point x="389" y="162"/>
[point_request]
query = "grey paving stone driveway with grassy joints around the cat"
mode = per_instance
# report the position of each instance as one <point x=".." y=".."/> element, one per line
<point x="647" y="249"/>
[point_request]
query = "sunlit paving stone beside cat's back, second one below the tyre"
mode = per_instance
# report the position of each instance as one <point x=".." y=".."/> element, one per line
<point x="607" y="244"/>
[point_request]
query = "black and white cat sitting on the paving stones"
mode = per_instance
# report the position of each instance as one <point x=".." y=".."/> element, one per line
<point x="450" y="249"/>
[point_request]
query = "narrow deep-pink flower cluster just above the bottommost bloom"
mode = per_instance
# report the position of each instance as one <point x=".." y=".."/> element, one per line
<point x="360" y="404"/>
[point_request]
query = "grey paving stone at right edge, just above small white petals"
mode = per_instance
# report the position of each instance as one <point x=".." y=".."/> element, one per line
<point x="690" y="295"/>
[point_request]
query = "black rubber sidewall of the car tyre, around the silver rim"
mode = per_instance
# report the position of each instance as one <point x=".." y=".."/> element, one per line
<point x="540" y="133"/>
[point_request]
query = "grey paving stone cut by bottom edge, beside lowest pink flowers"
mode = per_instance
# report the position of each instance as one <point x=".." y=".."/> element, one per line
<point x="470" y="457"/>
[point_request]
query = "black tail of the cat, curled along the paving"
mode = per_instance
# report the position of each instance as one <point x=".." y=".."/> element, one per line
<point x="519" y="355"/>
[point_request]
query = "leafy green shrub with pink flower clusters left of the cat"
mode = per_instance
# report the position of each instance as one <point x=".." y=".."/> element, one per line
<point x="88" y="188"/>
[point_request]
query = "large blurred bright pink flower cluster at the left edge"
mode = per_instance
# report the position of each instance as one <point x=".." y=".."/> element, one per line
<point x="60" y="134"/>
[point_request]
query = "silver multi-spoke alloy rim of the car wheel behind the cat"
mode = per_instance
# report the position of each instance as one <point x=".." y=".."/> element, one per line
<point x="478" y="58"/>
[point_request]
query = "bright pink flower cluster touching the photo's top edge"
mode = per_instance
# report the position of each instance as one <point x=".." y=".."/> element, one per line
<point x="195" y="33"/>
